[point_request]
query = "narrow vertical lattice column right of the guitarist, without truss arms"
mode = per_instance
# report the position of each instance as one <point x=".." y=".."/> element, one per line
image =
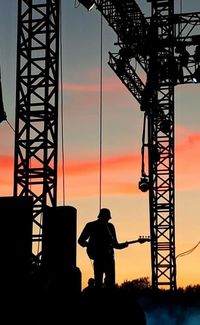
<point x="161" y="84"/>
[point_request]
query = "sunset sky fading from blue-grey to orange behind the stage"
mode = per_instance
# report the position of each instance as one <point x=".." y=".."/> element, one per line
<point x="121" y="146"/>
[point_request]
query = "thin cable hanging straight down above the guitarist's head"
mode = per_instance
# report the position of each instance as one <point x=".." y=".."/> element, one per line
<point x="101" y="111"/>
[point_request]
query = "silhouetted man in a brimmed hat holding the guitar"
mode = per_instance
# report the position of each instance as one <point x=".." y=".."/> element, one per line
<point x="99" y="237"/>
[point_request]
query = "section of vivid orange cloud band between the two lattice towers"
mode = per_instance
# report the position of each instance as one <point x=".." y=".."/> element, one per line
<point x="82" y="177"/>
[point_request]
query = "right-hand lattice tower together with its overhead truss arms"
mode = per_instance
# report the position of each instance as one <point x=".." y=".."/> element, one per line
<point x="166" y="48"/>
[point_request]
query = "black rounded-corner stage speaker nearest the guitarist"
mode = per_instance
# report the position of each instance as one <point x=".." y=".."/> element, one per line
<point x="59" y="238"/>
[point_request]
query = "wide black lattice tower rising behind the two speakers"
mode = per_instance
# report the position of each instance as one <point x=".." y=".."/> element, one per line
<point x="35" y="165"/>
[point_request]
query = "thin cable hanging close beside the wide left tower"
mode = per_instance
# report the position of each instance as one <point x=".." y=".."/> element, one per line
<point x="62" y="107"/>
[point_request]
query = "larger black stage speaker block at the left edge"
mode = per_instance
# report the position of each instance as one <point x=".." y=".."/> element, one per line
<point x="16" y="217"/>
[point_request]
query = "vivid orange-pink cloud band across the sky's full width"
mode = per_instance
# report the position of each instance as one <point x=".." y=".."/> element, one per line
<point x="120" y="173"/>
